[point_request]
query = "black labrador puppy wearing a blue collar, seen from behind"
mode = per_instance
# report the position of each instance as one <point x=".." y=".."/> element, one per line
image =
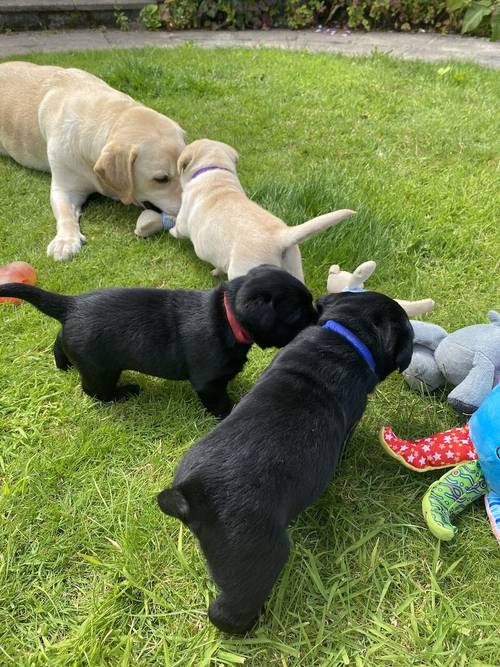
<point x="240" y="486"/>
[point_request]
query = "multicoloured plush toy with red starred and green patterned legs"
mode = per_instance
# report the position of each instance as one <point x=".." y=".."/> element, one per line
<point x="475" y="448"/>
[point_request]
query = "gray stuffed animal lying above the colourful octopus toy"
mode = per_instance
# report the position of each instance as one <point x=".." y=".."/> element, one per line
<point x="468" y="358"/>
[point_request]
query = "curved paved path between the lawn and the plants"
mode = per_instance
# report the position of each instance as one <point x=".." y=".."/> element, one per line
<point x="426" y="46"/>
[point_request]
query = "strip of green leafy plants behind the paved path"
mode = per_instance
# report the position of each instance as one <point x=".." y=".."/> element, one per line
<point x="440" y="15"/>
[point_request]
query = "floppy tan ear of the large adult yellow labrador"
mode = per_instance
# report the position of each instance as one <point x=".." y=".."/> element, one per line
<point x="115" y="169"/>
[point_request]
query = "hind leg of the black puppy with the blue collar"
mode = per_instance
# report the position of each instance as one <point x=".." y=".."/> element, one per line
<point x="245" y="579"/>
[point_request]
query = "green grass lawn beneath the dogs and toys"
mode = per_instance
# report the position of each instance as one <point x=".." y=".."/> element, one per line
<point x="91" y="573"/>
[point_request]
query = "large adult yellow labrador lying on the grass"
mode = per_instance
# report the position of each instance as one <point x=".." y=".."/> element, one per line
<point x="92" y="138"/>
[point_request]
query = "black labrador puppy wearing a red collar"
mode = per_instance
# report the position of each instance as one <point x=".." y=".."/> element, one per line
<point x="199" y="335"/>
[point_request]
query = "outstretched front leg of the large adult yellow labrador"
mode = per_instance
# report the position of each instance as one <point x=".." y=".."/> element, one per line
<point x="66" y="202"/>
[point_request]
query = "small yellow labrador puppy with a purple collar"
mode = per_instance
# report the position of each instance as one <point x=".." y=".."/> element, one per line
<point x="226" y="228"/>
